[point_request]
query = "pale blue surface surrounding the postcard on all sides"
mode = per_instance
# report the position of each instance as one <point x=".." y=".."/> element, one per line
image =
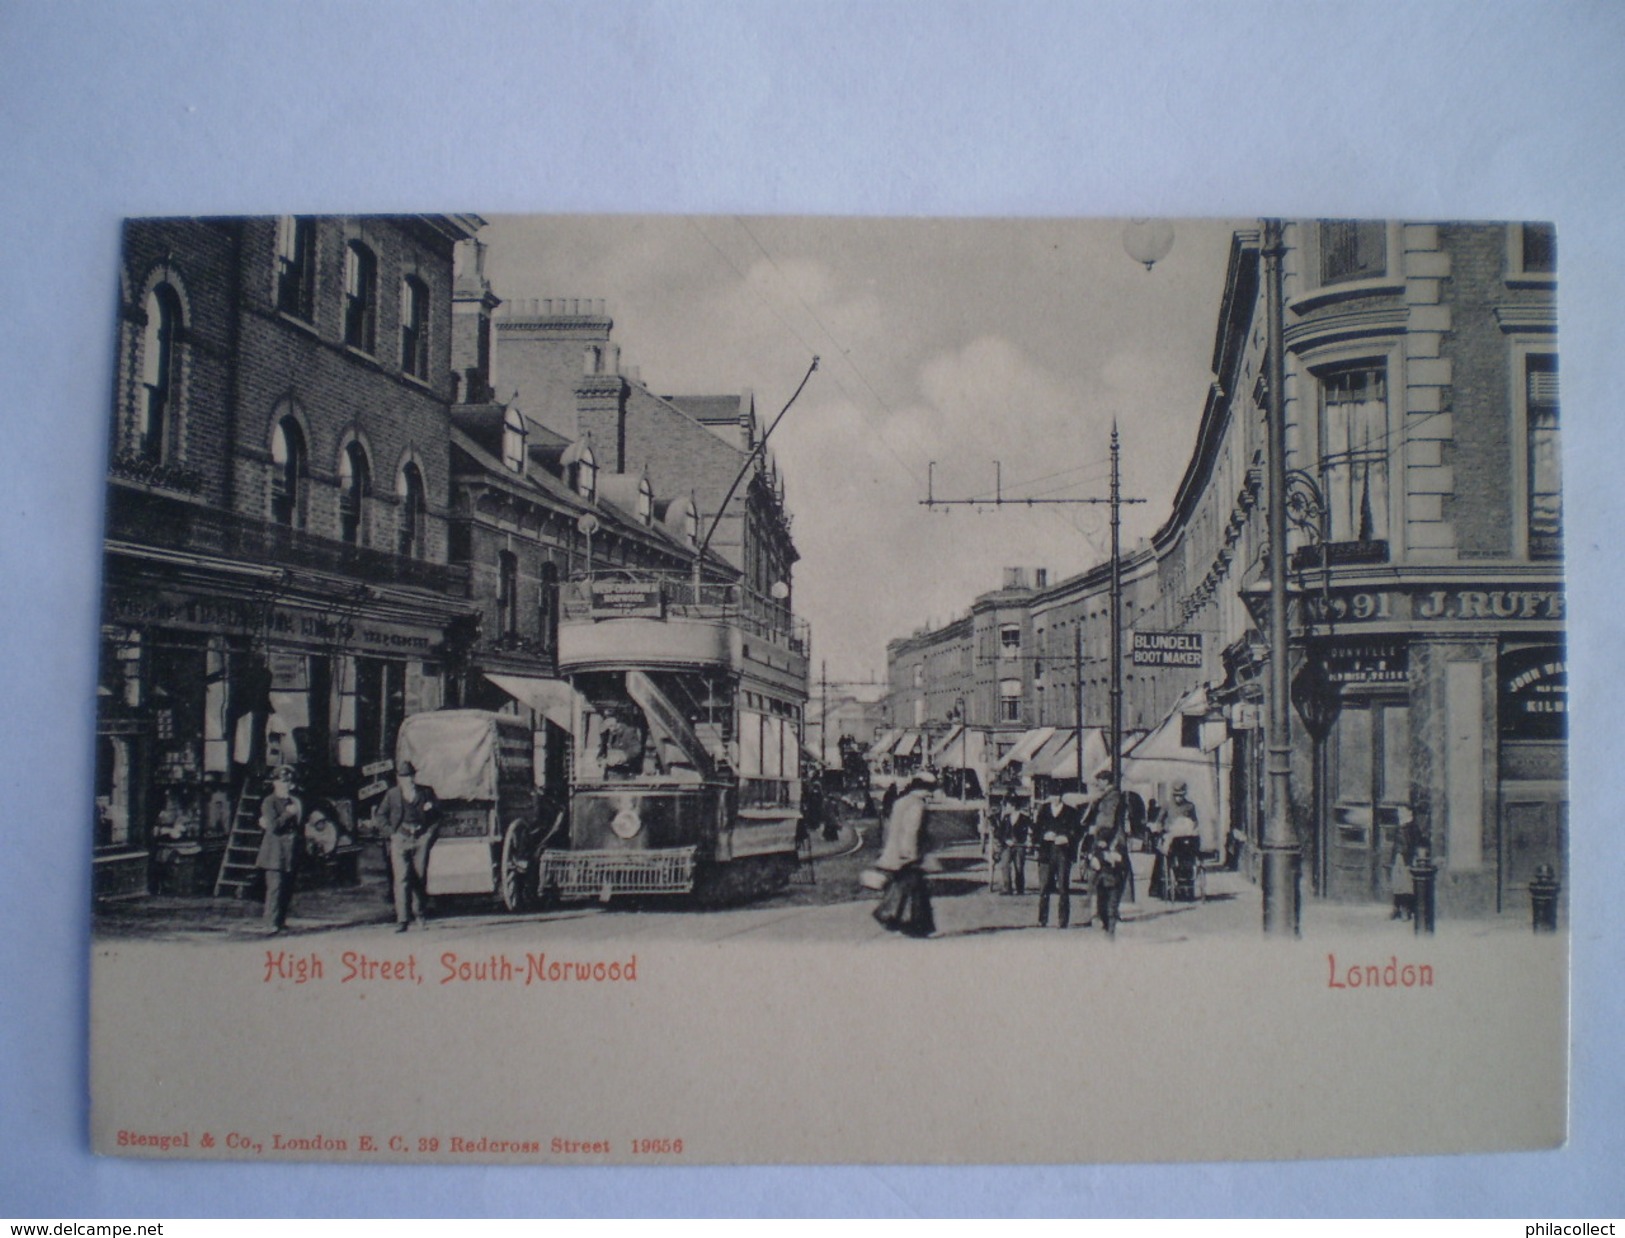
<point x="1380" y="110"/>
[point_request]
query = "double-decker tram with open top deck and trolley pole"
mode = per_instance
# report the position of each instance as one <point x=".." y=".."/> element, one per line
<point x="688" y="706"/>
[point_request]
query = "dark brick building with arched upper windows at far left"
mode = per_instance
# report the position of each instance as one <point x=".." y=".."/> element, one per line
<point x="277" y="582"/>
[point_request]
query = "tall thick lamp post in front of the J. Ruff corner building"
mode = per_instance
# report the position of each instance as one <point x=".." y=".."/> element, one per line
<point x="1283" y="873"/>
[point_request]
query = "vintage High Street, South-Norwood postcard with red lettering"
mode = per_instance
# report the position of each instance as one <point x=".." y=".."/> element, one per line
<point x="789" y="690"/>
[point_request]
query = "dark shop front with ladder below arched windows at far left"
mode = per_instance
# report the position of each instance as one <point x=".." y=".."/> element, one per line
<point x="210" y="682"/>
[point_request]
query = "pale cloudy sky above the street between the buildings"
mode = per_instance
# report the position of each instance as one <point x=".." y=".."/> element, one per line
<point x="958" y="342"/>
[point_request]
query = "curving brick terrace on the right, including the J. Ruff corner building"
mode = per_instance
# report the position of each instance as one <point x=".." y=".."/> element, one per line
<point x="1426" y="563"/>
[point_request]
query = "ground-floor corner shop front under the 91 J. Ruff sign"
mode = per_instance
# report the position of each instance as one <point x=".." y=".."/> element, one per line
<point x="1434" y="719"/>
